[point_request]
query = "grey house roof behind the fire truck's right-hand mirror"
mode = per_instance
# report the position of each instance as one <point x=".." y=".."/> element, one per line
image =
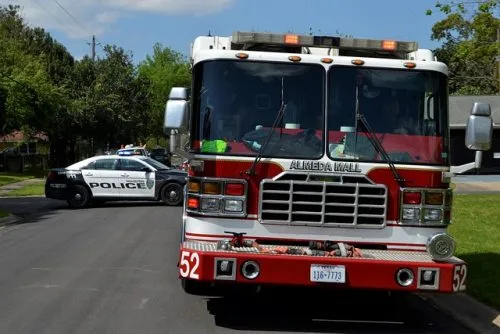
<point x="460" y="108"/>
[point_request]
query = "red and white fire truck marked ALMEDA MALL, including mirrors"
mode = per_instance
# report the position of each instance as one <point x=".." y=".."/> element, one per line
<point x="318" y="161"/>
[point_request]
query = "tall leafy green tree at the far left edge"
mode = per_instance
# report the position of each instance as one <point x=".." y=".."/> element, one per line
<point x="35" y="71"/>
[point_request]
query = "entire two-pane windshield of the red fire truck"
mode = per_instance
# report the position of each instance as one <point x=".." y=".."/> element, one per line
<point x="235" y="104"/>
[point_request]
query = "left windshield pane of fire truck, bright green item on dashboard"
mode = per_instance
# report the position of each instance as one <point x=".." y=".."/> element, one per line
<point x="235" y="104"/>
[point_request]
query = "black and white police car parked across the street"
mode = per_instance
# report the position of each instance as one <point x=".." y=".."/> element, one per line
<point x="116" y="178"/>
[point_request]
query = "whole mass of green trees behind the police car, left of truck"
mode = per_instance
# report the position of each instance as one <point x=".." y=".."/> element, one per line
<point x="104" y="102"/>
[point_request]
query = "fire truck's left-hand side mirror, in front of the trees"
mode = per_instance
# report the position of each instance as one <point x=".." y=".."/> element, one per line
<point x="176" y="110"/>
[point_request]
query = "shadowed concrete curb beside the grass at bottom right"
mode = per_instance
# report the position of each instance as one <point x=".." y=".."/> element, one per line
<point x="466" y="310"/>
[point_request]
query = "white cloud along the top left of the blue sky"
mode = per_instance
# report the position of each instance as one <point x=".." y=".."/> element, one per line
<point x="95" y="16"/>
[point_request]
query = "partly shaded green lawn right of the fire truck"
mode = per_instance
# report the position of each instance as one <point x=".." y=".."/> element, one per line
<point x="476" y="229"/>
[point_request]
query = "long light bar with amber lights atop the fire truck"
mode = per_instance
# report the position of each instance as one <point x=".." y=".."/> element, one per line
<point x="323" y="41"/>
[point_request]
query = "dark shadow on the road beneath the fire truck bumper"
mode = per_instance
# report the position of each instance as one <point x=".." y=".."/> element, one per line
<point x="320" y="312"/>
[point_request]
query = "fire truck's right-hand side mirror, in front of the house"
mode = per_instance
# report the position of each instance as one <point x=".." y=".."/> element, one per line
<point x="479" y="129"/>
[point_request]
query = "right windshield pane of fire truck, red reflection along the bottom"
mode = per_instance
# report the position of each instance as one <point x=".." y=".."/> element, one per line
<point x="406" y="110"/>
